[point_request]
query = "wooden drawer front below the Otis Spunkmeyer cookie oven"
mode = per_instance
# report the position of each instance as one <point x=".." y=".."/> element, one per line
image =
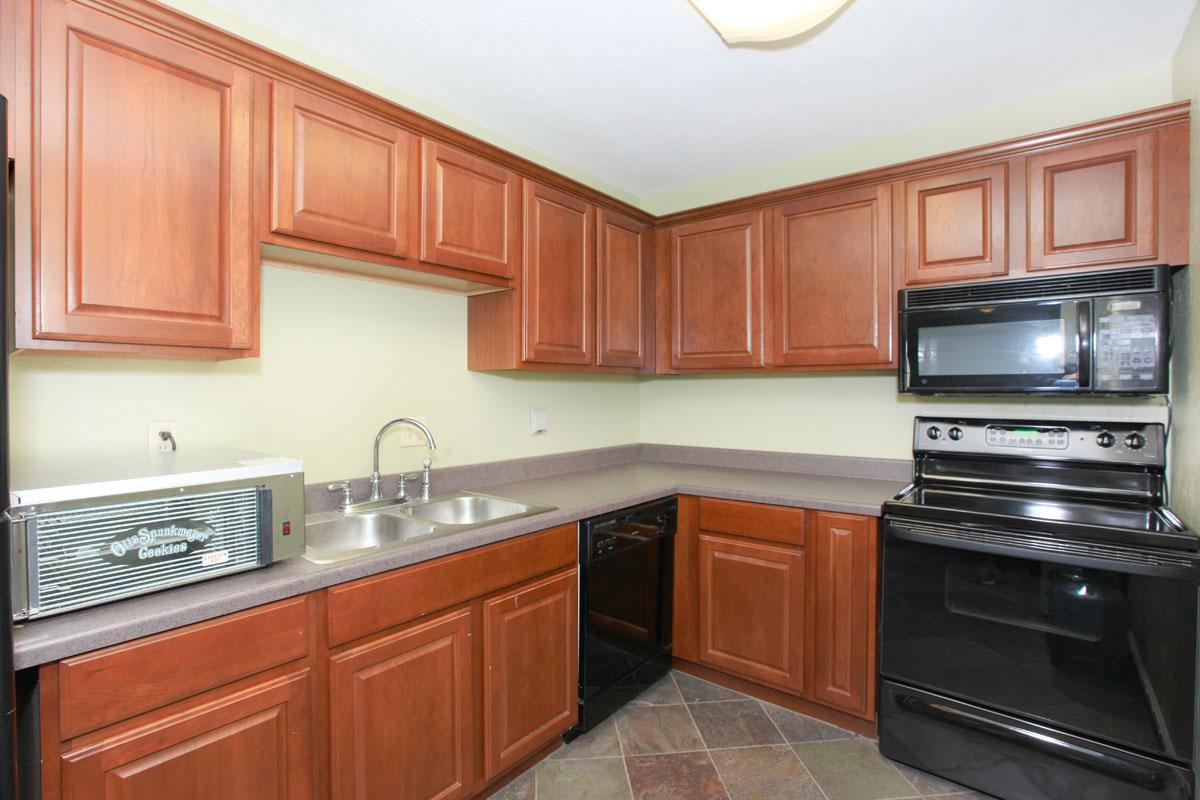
<point x="128" y="679"/>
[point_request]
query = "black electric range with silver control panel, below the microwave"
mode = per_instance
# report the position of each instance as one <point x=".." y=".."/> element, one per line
<point x="1039" y="635"/>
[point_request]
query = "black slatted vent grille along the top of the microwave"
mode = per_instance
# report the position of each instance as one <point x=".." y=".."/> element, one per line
<point x="1112" y="282"/>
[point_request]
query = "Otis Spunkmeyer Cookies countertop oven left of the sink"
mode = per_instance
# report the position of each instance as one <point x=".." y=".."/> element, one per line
<point x="92" y="532"/>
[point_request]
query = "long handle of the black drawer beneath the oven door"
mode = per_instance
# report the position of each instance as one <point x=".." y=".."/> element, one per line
<point x="1096" y="761"/>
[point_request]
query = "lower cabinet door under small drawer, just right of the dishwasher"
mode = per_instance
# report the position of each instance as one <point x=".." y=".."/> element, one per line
<point x="752" y="610"/>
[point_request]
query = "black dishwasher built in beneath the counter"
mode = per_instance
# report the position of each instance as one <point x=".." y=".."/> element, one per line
<point x="627" y="562"/>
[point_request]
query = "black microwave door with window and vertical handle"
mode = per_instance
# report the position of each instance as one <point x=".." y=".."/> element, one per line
<point x="1022" y="347"/>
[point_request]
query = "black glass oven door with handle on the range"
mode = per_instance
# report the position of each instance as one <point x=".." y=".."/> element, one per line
<point x="1103" y="647"/>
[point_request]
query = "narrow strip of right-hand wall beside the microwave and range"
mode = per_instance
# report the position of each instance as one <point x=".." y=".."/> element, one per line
<point x="1186" y="438"/>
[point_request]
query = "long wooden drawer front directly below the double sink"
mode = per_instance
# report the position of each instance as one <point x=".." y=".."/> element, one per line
<point x="375" y="604"/>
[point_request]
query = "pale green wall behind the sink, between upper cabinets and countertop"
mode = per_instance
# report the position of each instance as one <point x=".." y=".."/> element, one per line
<point x="341" y="357"/>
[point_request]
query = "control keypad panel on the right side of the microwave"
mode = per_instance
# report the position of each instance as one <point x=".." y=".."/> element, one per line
<point x="1127" y="344"/>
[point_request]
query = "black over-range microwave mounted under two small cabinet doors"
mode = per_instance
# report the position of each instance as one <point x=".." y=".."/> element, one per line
<point x="1084" y="334"/>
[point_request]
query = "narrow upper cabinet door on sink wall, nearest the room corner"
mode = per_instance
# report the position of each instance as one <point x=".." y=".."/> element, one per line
<point x="622" y="293"/>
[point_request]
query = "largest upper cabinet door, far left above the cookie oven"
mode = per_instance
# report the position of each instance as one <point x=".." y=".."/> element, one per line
<point x="145" y="228"/>
